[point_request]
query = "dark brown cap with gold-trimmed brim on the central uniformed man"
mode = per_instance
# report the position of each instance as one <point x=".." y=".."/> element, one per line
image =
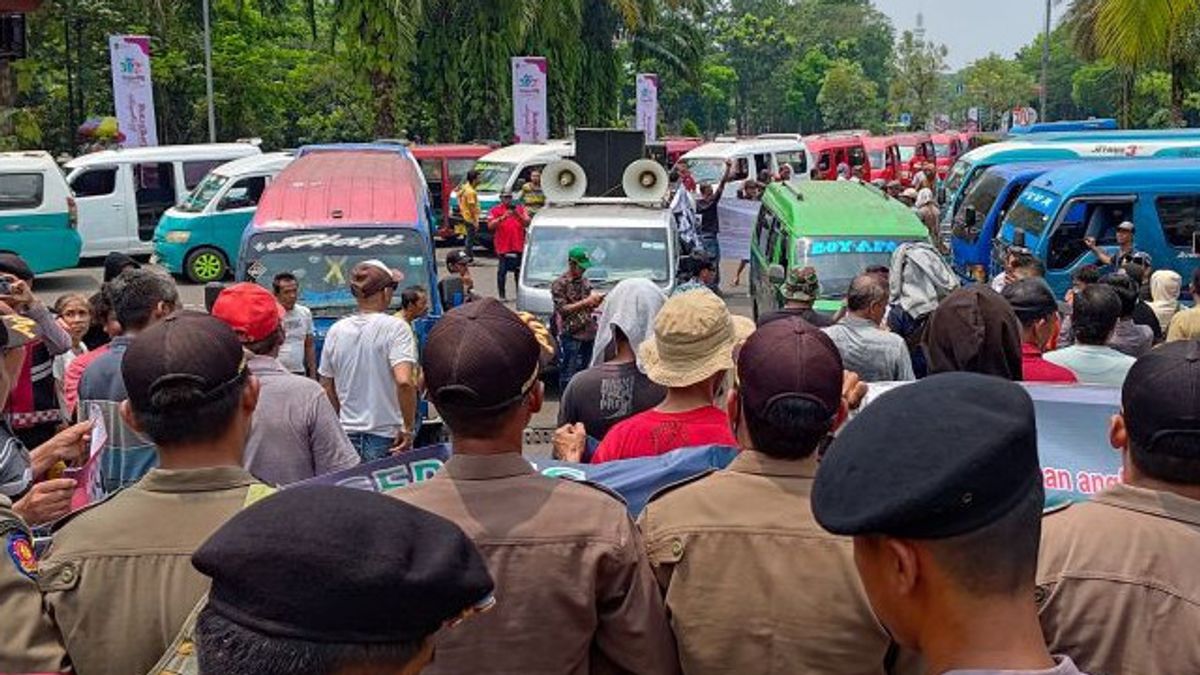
<point x="481" y="357"/>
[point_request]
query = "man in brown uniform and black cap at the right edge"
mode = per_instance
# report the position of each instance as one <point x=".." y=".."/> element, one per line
<point x="1118" y="578"/>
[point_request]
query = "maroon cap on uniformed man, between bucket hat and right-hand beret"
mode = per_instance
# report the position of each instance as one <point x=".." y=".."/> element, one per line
<point x="790" y="359"/>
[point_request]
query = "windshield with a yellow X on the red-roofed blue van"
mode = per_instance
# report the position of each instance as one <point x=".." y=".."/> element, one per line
<point x="322" y="262"/>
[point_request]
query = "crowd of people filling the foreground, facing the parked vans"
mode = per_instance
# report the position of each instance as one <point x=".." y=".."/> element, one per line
<point x="863" y="527"/>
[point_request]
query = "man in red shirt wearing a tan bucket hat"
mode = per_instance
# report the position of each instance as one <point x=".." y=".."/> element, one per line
<point x="692" y="349"/>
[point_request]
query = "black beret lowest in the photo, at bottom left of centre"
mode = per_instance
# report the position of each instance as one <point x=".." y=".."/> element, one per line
<point x="328" y="564"/>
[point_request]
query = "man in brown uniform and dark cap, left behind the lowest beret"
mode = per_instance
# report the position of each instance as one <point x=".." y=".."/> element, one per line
<point x="118" y="581"/>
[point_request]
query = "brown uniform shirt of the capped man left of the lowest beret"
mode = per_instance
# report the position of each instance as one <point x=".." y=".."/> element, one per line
<point x="119" y="580"/>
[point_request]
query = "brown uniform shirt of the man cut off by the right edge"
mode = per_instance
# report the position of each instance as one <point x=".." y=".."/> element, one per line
<point x="1119" y="588"/>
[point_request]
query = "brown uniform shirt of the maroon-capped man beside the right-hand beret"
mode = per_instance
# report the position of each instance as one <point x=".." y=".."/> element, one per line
<point x="753" y="584"/>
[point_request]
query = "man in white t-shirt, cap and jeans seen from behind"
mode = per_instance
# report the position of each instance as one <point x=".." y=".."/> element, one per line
<point x="368" y="367"/>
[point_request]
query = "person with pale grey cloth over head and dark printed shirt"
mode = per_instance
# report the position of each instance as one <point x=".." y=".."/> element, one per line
<point x="616" y="386"/>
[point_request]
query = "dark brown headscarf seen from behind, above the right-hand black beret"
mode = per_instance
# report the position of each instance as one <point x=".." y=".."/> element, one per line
<point x="975" y="331"/>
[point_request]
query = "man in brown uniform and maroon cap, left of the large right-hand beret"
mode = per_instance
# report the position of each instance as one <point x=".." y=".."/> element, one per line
<point x="753" y="584"/>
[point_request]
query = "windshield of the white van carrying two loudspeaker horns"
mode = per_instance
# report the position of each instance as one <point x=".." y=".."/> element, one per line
<point x="617" y="254"/>
